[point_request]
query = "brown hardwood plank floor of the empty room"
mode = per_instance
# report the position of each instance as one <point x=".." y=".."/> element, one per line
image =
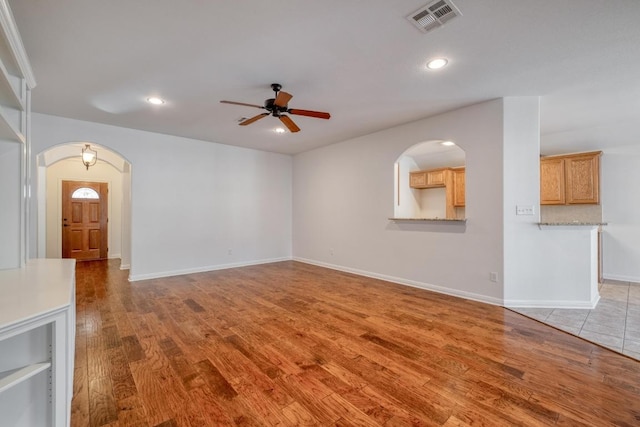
<point x="291" y="344"/>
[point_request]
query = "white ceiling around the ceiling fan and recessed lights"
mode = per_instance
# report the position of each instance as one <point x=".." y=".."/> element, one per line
<point x="360" y="60"/>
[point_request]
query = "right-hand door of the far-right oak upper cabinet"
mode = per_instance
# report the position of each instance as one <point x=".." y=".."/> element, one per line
<point x="582" y="179"/>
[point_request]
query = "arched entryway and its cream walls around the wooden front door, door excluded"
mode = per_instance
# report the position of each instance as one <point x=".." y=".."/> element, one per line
<point x="64" y="162"/>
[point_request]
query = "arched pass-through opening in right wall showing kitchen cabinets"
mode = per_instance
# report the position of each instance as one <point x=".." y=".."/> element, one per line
<point x="429" y="182"/>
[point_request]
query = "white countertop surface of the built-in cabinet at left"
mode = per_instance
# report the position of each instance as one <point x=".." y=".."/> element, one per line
<point x="40" y="288"/>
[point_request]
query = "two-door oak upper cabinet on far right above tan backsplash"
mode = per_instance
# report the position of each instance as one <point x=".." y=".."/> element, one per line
<point x="570" y="179"/>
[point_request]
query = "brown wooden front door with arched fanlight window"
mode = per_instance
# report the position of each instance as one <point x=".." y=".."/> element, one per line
<point x="84" y="220"/>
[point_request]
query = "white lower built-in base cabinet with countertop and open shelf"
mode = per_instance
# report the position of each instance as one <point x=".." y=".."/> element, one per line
<point x="37" y="341"/>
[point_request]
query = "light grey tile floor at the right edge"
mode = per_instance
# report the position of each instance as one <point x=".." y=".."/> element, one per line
<point x="614" y="323"/>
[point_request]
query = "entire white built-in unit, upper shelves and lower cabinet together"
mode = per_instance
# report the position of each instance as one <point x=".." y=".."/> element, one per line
<point x="37" y="297"/>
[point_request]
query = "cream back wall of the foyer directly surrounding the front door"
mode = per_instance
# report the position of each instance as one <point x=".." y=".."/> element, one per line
<point x="74" y="170"/>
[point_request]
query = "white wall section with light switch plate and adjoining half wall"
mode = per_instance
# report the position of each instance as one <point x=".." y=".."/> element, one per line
<point x="549" y="266"/>
